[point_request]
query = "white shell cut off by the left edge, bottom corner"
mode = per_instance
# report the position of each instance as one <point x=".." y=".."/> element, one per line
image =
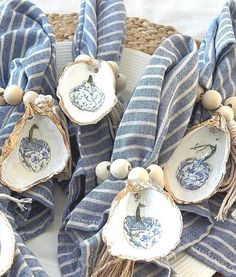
<point x="7" y="244"/>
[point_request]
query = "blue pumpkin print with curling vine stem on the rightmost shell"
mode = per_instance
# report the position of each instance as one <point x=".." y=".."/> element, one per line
<point x="193" y="173"/>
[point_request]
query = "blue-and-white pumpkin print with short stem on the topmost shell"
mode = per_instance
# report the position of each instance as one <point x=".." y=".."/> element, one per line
<point x="87" y="96"/>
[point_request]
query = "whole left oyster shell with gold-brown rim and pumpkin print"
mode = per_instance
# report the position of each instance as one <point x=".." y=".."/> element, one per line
<point x="30" y="155"/>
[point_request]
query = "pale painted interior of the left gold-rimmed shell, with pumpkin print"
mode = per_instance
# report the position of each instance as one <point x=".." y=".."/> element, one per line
<point x="40" y="152"/>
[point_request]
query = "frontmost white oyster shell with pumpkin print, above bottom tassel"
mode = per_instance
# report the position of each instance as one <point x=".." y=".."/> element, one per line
<point x="144" y="223"/>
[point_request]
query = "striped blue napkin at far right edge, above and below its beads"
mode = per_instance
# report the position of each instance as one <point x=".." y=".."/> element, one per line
<point x="217" y="65"/>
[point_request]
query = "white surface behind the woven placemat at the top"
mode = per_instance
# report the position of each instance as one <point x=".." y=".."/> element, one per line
<point x="187" y="16"/>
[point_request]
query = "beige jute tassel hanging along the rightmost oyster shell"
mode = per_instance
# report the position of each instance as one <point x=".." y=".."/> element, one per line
<point x="229" y="185"/>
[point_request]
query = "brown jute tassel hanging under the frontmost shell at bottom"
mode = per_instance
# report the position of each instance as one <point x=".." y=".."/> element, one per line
<point x="110" y="266"/>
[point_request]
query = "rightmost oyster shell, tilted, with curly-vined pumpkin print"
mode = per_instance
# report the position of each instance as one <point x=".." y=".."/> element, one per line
<point x="198" y="165"/>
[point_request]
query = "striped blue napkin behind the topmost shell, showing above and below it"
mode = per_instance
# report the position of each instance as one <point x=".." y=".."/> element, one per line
<point x="100" y="34"/>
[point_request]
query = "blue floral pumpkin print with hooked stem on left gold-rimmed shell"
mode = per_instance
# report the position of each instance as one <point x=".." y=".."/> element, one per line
<point x="34" y="153"/>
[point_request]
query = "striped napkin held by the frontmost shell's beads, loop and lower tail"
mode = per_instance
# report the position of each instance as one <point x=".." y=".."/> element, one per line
<point x="154" y="122"/>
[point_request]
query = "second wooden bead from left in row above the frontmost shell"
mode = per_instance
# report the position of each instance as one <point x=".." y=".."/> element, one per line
<point x="120" y="168"/>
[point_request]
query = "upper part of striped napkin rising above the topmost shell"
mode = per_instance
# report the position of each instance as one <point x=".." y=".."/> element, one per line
<point x="100" y="32"/>
